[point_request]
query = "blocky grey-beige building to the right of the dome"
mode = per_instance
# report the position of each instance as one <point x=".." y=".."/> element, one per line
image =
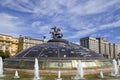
<point x="101" y="46"/>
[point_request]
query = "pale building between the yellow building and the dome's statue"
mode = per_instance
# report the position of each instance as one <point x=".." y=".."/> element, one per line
<point x="27" y="42"/>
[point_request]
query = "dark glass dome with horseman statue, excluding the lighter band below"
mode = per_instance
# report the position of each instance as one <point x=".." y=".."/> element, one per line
<point x="57" y="48"/>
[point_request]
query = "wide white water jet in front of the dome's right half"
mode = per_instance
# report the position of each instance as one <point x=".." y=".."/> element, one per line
<point x="80" y="72"/>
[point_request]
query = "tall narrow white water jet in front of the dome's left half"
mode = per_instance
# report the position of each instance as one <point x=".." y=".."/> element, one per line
<point x="36" y="70"/>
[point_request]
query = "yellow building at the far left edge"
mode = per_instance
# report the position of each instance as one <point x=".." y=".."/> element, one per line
<point x="8" y="43"/>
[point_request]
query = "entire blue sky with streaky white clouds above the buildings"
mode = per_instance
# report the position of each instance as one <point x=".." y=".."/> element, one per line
<point x="76" y="18"/>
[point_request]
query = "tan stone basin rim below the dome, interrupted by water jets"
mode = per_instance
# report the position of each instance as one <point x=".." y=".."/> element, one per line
<point x="64" y="71"/>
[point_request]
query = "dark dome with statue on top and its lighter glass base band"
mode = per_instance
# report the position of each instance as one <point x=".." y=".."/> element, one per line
<point x="56" y="53"/>
